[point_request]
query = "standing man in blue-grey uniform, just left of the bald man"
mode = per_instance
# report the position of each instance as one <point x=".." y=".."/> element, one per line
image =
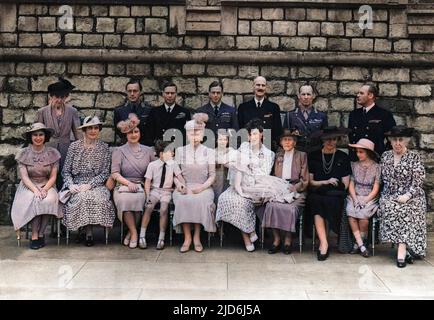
<point x="221" y="115"/>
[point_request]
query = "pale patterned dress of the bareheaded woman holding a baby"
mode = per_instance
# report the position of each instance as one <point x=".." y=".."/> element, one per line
<point x="232" y="207"/>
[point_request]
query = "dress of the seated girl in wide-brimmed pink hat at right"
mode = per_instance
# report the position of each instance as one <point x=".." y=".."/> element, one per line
<point x="364" y="179"/>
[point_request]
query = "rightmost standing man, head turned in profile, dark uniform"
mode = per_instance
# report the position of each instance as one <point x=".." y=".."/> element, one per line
<point x="370" y="121"/>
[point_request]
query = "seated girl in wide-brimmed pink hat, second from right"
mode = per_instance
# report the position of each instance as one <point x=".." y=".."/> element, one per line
<point x="364" y="188"/>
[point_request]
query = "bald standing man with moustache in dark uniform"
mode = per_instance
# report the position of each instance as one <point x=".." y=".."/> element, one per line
<point x="261" y="108"/>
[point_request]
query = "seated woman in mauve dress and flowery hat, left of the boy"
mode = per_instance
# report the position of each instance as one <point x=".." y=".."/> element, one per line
<point x="129" y="164"/>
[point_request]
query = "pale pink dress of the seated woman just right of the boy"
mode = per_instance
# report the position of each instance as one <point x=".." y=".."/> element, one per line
<point x="198" y="169"/>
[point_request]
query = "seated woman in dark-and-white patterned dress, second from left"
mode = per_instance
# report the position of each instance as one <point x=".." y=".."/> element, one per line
<point x="86" y="169"/>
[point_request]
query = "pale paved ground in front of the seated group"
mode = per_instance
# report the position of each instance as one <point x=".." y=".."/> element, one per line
<point x="116" y="272"/>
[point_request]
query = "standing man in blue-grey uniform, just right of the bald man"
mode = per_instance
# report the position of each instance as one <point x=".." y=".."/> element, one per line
<point x="307" y="120"/>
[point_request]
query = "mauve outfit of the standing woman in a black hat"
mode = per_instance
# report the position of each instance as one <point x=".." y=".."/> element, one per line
<point x="63" y="127"/>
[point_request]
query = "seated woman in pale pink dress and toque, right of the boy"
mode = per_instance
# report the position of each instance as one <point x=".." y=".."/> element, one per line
<point x="195" y="204"/>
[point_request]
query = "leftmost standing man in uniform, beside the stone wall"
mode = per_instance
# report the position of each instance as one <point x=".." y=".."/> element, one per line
<point x="133" y="104"/>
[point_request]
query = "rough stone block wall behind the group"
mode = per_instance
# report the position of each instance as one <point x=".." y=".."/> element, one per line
<point x="287" y="43"/>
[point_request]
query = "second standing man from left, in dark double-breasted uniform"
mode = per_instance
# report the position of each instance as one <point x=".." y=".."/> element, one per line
<point x="167" y="118"/>
